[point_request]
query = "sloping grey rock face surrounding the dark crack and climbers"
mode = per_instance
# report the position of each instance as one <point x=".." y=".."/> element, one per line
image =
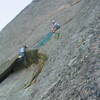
<point x="72" y="71"/>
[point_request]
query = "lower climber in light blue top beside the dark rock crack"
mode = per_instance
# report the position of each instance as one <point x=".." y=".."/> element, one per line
<point x="22" y="53"/>
